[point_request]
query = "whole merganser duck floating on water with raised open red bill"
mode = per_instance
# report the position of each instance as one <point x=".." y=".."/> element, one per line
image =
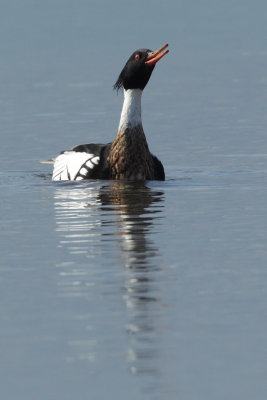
<point x="128" y="156"/>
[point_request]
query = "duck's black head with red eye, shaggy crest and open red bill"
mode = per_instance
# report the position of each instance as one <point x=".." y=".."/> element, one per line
<point x="139" y="67"/>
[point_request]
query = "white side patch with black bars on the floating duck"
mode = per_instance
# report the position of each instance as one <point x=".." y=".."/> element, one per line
<point x="70" y="163"/>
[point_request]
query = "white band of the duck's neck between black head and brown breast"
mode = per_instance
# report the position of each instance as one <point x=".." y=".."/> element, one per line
<point x="131" y="109"/>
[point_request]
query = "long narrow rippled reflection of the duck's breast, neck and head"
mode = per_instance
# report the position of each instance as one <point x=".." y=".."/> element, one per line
<point x="138" y="208"/>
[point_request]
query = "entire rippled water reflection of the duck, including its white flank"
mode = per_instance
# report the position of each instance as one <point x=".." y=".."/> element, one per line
<point x="90" y="220"/>
